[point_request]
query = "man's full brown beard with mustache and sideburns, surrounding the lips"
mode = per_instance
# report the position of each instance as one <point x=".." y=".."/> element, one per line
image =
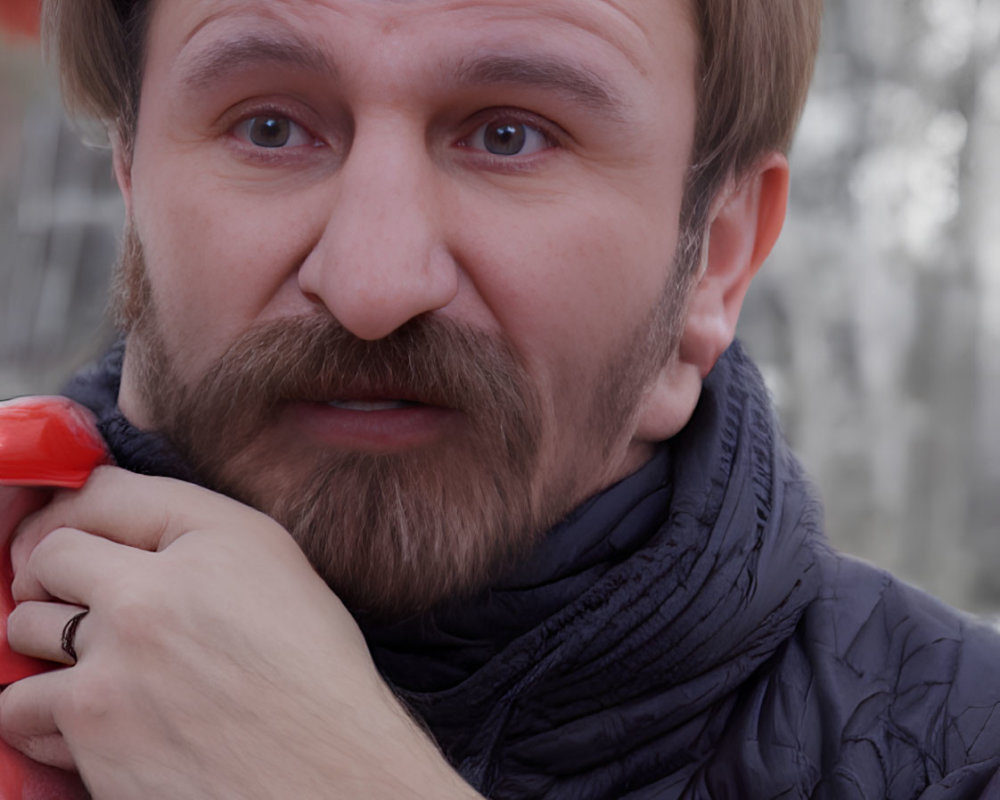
<point x="393" y="533"/>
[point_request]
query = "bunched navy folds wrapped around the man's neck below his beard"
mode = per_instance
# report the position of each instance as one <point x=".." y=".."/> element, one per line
<point x="614" y="658"/>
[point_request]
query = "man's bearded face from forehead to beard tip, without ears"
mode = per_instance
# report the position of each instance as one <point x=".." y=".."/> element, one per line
<point x="401" y="272"/>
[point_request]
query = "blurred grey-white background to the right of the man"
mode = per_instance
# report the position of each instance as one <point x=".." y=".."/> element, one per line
<point x="876" y="320"/>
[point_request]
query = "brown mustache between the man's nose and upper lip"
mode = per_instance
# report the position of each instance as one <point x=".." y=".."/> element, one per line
<point x="315" y="359"/>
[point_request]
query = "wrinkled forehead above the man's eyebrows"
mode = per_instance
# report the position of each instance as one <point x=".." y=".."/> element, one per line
<point x="656" y="39"/>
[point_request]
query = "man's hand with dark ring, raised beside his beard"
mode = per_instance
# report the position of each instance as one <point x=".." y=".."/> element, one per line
<point x="213" y="662"/>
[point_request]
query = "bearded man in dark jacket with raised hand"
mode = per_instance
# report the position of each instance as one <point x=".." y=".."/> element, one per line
<point x="446" y="291"/>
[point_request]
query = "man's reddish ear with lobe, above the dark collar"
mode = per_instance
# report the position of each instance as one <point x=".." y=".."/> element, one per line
<point x="744" y="223"/>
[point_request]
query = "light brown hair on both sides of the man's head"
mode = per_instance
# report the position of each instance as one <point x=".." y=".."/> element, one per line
<point x="756" y="65"/>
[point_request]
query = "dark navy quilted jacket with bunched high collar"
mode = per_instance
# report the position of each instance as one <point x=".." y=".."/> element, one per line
<point x="690" y="634"/>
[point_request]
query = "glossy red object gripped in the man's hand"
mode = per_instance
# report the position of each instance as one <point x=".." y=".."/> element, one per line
<point x="44" y="442"/>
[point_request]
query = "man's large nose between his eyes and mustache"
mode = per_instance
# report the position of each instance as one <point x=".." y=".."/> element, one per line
<point x="381" y="258"/>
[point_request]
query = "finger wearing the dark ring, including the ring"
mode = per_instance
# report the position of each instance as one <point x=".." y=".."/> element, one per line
<point x="50" y="631"/>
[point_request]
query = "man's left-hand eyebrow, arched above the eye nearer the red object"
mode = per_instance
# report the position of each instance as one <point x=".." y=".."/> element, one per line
<point x="255" y="50"/>
